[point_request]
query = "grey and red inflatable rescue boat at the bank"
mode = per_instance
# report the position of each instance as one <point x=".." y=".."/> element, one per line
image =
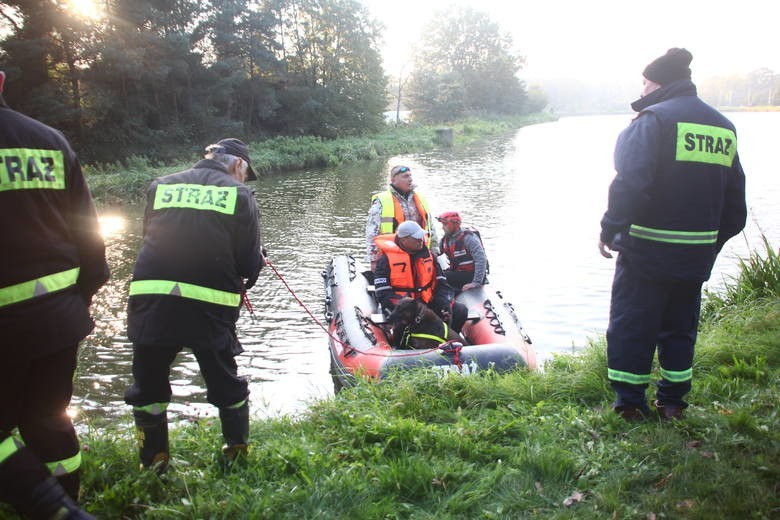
<point x="492" y="336"/>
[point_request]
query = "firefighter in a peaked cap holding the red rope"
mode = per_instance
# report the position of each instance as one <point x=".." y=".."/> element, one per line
<point x="201" y="250"/>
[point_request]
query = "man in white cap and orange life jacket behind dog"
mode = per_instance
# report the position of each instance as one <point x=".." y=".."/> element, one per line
<point x="405" y="267"/>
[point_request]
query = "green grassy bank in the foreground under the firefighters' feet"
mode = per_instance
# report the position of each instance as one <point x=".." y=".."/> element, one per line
<point x="522" y="445"/>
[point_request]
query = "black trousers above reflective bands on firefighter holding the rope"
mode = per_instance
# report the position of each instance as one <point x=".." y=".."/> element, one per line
<point x="151" y="370"/>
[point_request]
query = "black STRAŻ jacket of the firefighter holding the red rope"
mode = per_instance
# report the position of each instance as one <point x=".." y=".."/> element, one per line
<point x="195" y="246"/>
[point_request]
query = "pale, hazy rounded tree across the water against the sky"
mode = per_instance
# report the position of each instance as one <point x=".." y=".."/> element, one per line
<point x="464" y="65"/>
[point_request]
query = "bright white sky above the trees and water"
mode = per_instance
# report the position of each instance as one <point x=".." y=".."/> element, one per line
<point x="606" y="39"/>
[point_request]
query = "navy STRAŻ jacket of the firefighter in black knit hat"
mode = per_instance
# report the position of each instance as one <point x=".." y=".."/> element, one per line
<point x="659" y="187"/>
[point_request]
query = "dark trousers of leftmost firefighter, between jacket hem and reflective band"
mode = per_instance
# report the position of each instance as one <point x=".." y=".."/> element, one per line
<point x="34" y="395"/>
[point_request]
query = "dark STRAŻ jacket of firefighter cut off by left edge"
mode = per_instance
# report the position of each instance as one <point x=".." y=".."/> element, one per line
<point x="45" y="231"/>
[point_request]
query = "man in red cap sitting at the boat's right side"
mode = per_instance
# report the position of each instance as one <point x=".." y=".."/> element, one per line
<point x="465" y="252"/>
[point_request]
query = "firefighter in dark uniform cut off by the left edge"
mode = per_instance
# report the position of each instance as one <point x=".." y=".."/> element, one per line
<point x="52" y="263"/>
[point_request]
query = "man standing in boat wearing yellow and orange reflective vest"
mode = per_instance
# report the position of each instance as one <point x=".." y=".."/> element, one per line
<point x="399" y="203"/>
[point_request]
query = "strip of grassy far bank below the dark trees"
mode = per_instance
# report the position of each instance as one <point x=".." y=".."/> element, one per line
<point x="126" y="181"/>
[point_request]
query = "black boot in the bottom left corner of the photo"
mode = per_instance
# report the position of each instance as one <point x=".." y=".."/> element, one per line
<point x="27" y="485"/>
